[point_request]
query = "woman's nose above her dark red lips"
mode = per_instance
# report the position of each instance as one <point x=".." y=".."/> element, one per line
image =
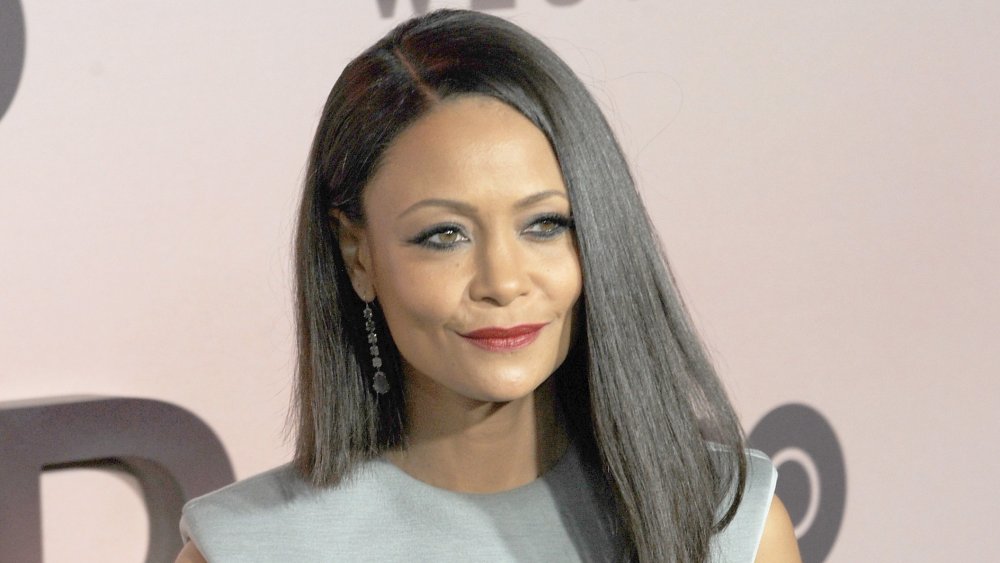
<point x="501" y="274"/>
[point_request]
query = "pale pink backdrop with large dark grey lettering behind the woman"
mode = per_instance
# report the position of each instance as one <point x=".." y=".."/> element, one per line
<point x="822" y="176"/>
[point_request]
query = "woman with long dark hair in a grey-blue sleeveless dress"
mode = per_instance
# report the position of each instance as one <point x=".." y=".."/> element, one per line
<point x="494" y="362"/>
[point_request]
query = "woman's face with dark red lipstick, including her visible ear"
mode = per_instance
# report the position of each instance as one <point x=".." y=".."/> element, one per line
<point x="468" y="247"/>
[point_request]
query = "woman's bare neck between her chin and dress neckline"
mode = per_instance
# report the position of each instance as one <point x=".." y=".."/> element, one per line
<point x="480" y="447"/>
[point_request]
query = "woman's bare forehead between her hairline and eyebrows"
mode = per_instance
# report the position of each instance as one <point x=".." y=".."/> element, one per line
<point x="472" y="148"/>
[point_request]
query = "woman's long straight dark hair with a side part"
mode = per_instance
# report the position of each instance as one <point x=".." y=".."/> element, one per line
<point x="638" y="390"/>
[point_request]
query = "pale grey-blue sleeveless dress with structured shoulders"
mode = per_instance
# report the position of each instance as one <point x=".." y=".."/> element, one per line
<point x="381" y="513"/>
